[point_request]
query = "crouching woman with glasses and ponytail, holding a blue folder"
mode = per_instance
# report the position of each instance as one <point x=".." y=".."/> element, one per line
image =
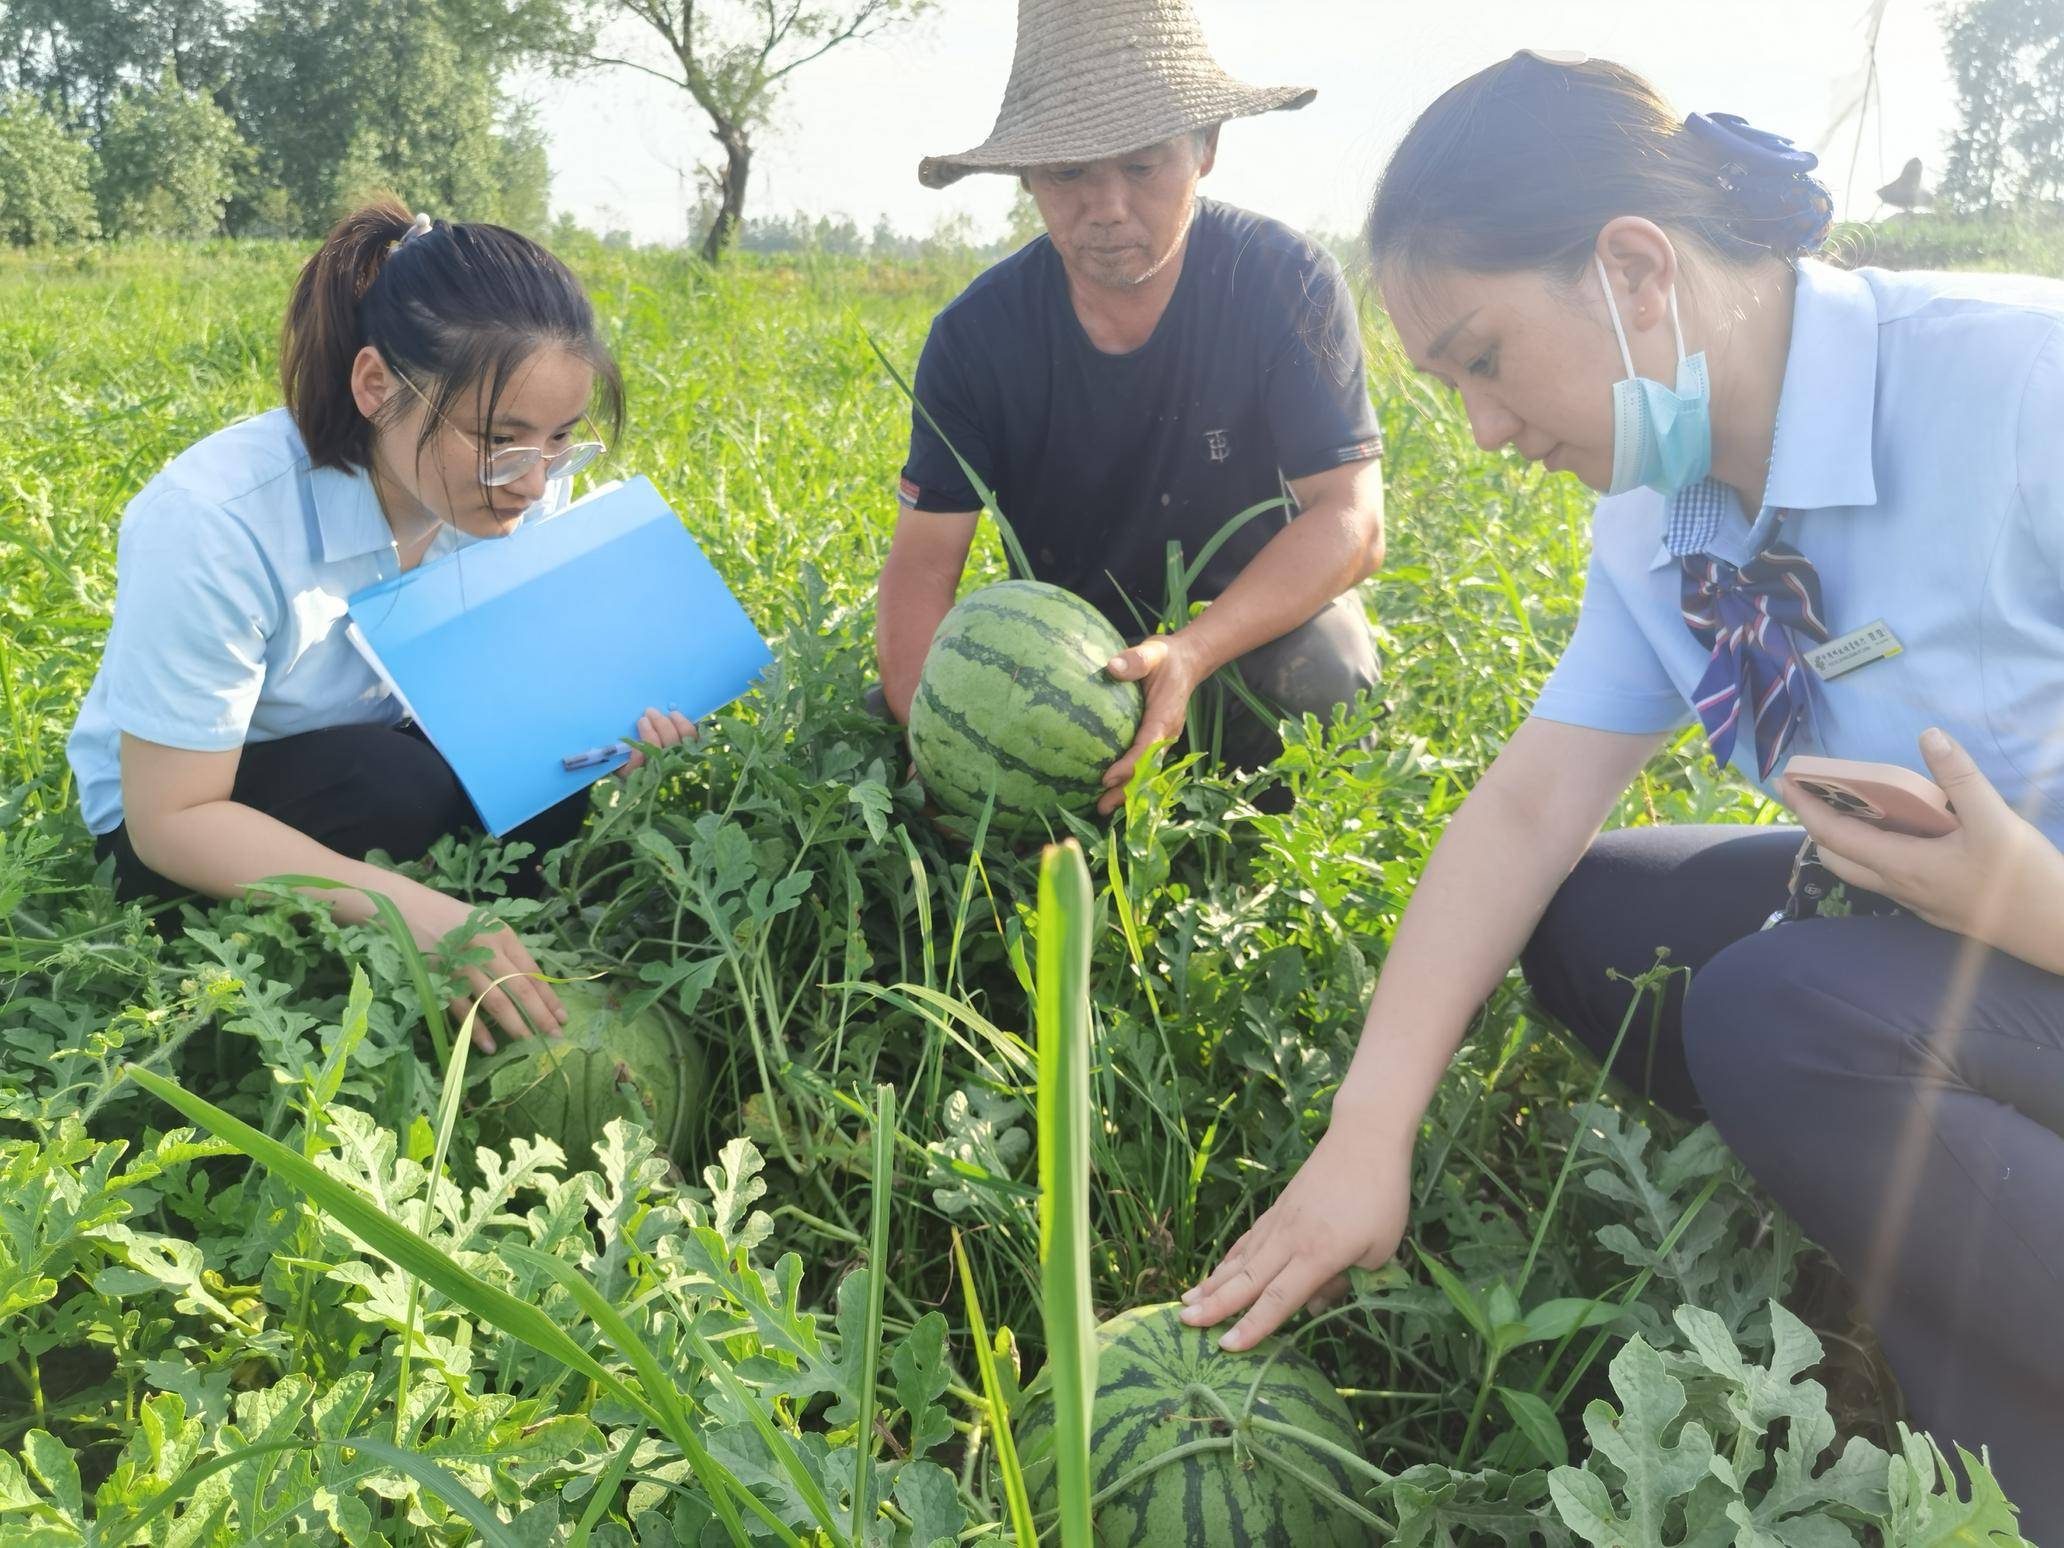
<point x="437" y="389"/>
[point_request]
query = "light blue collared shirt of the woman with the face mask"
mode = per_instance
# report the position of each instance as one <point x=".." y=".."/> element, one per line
<point x="1921" y="451"/>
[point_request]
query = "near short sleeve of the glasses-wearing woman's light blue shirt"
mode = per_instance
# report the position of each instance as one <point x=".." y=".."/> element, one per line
<point x="195" y="608"/>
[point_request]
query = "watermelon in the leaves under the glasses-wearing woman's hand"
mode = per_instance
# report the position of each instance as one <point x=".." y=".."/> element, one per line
<point x="606" y="1066"/>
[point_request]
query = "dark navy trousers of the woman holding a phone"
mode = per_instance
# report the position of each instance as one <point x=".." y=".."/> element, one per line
<point x="1900" y="1091"/>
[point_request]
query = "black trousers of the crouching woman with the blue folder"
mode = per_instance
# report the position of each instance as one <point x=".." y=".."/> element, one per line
<point x="356" y="789"/>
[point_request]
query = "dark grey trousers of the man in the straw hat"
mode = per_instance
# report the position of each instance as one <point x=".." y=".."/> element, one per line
<point x="1320" y="664"/>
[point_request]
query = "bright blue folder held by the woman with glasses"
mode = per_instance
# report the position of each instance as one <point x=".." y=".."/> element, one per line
<point x="517" y="653"/>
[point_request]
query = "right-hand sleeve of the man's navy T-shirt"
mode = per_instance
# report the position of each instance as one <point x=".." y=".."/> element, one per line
<point x="1318" y="381"/>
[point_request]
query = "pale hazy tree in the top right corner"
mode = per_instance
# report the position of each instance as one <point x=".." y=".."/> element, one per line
<point x="2009" y="65"/>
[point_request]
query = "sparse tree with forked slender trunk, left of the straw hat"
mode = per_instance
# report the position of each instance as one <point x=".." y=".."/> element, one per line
<point x="732" y="59"/>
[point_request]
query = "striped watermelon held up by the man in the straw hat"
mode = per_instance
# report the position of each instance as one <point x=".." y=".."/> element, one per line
<point x="1014" y="699"/>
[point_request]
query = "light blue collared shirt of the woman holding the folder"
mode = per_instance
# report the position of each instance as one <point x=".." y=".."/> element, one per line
<point x="232" y="575"/>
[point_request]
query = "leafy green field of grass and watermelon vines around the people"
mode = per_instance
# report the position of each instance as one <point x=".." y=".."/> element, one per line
<point x="199" y="1351"/>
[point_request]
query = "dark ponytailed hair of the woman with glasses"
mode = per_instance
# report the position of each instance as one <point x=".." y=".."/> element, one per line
<point x="453" y="307"/>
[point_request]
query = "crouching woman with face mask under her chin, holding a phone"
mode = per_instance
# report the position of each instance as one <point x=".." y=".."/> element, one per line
<point x="1838" y="451"/>
